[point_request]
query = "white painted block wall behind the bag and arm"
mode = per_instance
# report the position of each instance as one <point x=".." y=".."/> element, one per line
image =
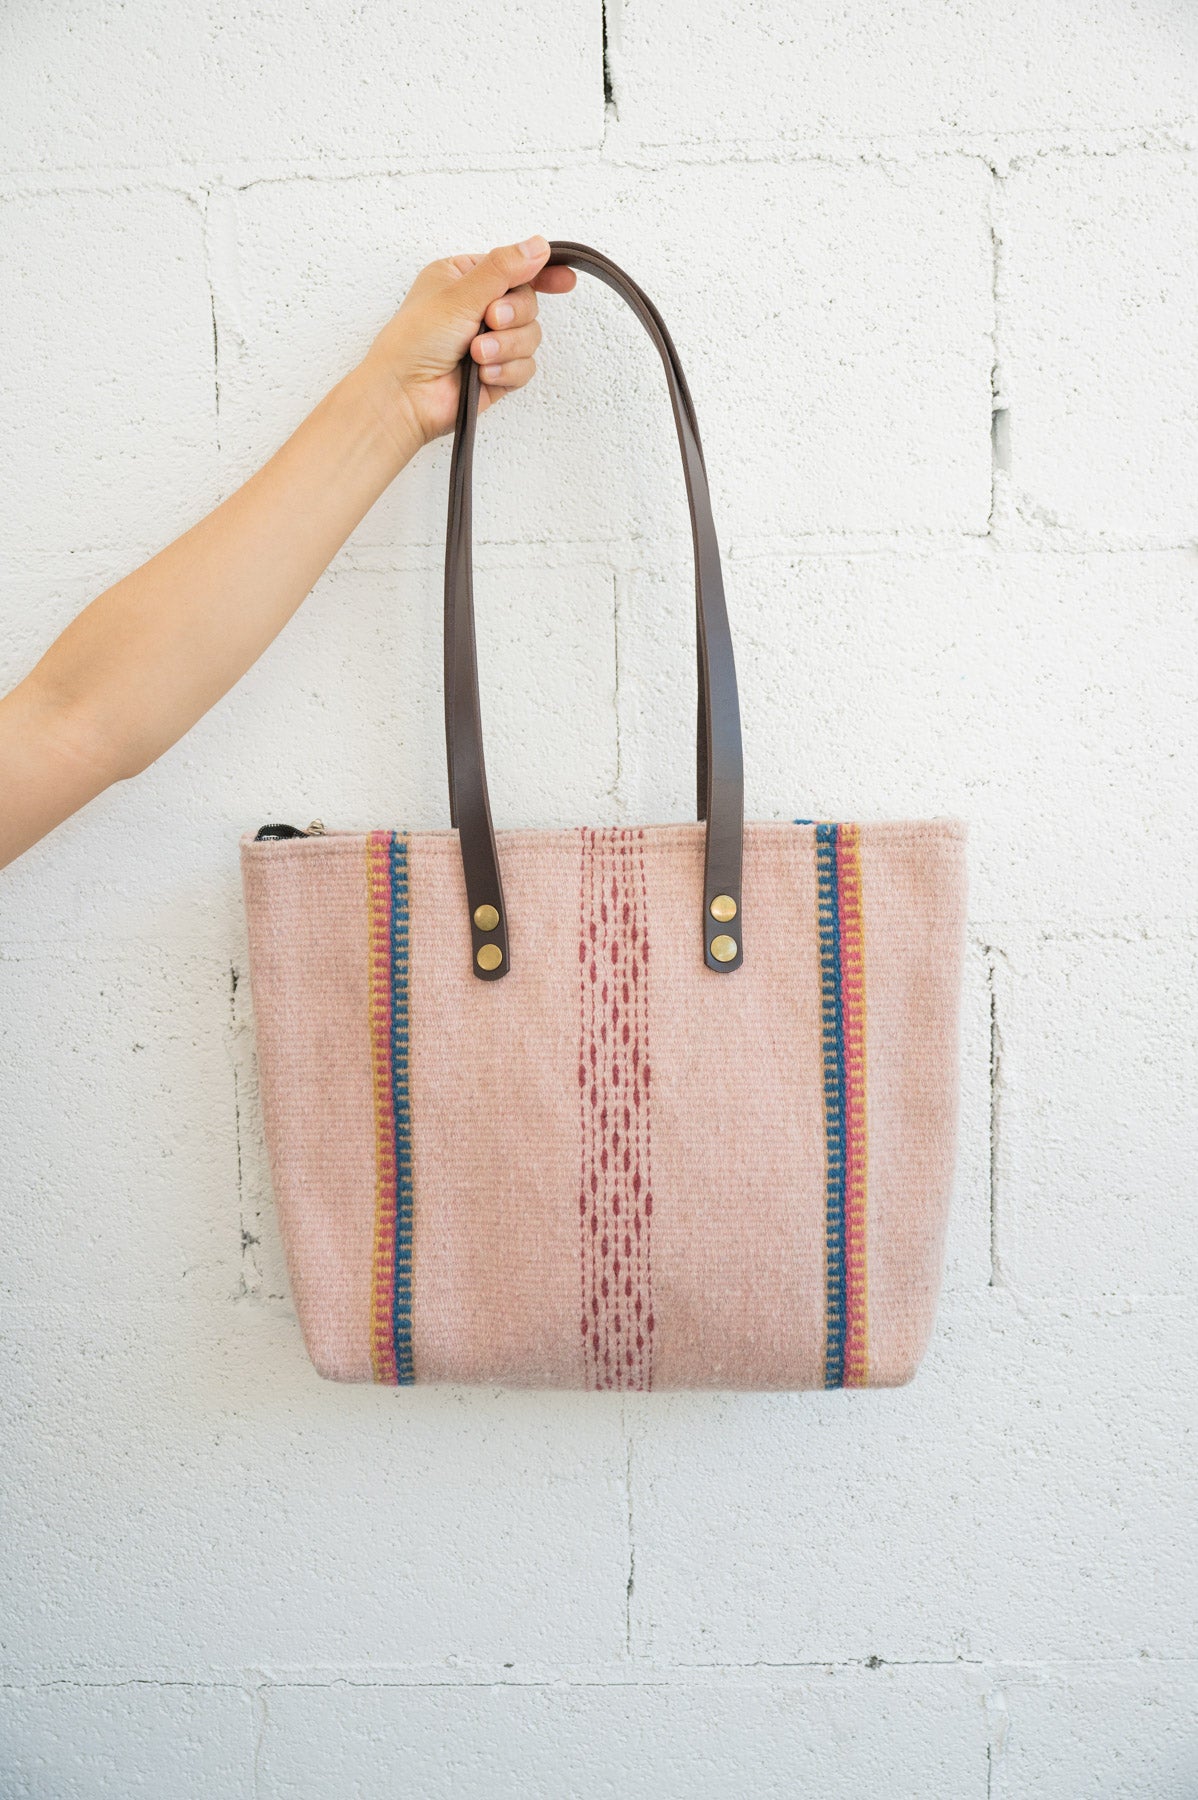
<point x="872" y="229"/>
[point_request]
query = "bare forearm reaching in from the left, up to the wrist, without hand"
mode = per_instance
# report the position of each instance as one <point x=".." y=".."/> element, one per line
<point x="152" y="654"/>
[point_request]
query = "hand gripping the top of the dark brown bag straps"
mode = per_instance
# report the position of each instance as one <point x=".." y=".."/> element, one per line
<point x="416" y="357"/>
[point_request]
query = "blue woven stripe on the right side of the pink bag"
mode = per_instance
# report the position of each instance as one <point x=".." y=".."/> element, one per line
<point x="836" y="1111"/>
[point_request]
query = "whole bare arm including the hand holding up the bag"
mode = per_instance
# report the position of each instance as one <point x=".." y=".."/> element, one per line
<point x="150" y="656"/>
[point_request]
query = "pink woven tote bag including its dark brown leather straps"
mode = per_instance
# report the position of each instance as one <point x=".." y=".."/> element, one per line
<point x="663" y="1106"/>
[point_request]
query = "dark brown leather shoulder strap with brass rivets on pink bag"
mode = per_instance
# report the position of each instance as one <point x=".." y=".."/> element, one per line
<point x="720" y="784"/>
